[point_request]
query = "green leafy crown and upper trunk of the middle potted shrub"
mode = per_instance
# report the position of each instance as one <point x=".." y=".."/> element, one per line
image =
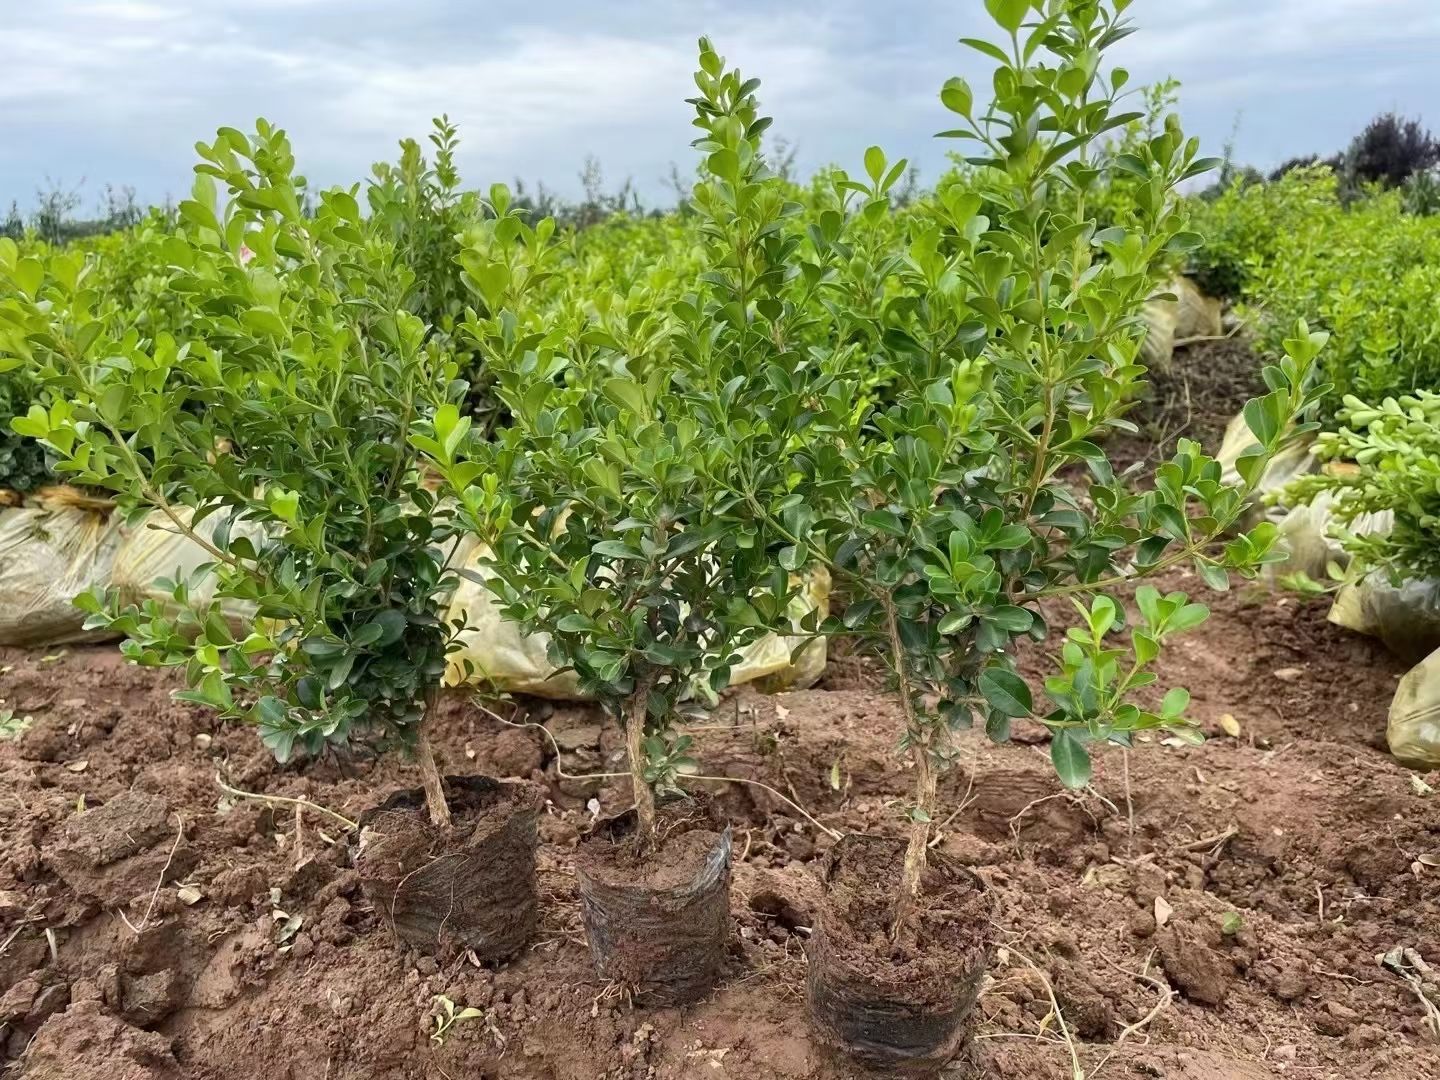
<point x="646" y="428"/>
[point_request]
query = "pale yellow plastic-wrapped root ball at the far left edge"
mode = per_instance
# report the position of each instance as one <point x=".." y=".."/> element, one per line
<point x="51" y="554"/>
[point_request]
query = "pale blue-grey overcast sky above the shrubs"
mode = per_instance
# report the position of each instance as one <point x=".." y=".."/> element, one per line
<point x="119" y="91"/>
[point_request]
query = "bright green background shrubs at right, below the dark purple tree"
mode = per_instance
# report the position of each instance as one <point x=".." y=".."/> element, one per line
<point x="1366" y="271"/>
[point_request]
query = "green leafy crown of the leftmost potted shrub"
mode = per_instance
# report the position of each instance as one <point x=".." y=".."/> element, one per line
<point x="274" y="433"/>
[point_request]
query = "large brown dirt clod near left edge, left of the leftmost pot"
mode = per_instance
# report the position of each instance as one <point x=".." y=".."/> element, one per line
<point x="117" y="852"/>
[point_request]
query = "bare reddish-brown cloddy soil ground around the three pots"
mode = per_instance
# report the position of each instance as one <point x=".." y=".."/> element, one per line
<point x="159" y="928"/>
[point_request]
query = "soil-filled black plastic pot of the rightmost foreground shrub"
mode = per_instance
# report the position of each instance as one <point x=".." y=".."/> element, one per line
<point x="901" y="1004"/>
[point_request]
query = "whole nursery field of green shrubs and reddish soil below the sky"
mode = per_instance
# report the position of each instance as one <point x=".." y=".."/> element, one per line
<point x="829" y="629"/>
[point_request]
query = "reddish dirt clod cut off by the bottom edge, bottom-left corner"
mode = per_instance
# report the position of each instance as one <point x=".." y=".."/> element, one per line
<point x="87" y="1042"/>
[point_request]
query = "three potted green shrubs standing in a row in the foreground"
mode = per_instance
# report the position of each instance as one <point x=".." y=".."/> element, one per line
<point x="675" y="428"/>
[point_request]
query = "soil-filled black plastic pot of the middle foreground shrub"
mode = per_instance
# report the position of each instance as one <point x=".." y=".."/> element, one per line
<point x="659" y="917"/>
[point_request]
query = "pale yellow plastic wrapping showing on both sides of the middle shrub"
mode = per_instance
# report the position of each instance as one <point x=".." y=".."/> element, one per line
<point x="502" y="657"/>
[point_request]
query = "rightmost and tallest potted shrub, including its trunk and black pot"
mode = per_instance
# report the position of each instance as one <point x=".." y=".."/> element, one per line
<point x="1009" y="333"/>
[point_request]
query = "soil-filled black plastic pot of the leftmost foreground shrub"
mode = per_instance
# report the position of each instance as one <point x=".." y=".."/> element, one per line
<point x="470" y="886"/>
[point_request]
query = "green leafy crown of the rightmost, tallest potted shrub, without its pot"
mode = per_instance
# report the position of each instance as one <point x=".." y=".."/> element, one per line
<point x="1010" y="342"/>
